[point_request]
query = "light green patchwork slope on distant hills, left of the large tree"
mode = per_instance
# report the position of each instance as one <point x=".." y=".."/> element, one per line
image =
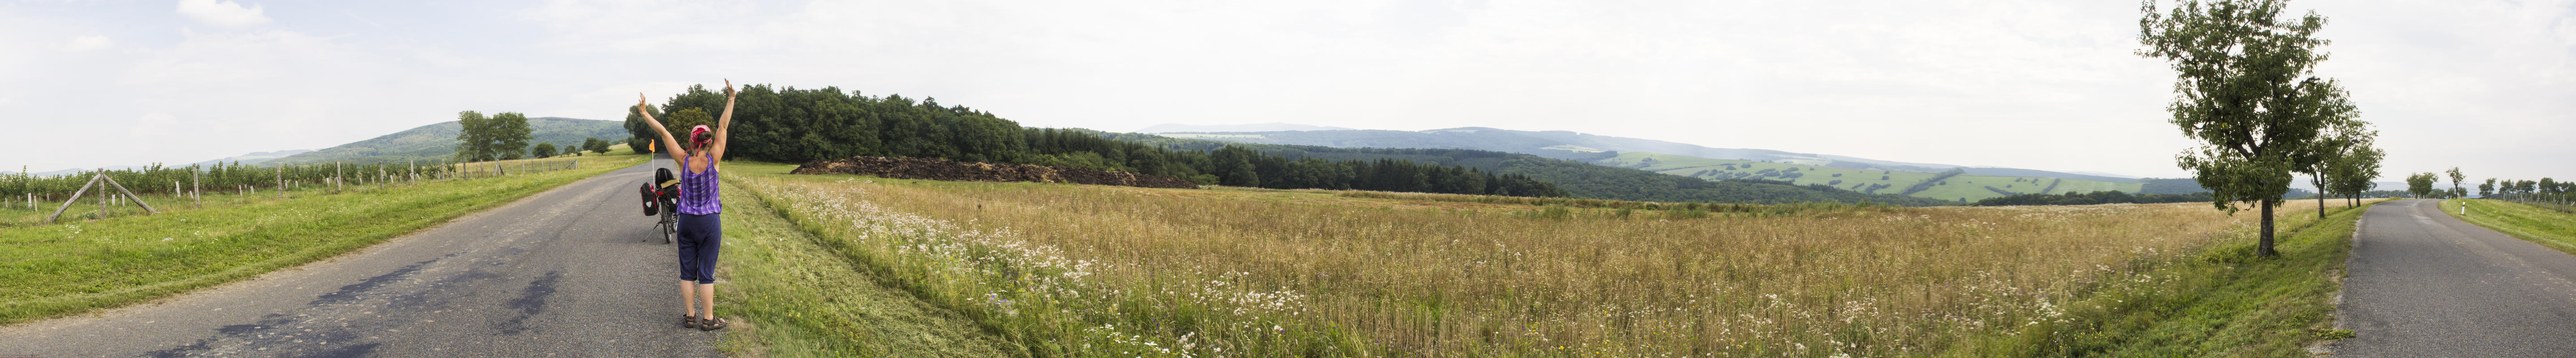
<point x="1887" y="182"/>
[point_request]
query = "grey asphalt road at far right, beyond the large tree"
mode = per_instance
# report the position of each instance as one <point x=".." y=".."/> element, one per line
<point x="2425" y="285"/>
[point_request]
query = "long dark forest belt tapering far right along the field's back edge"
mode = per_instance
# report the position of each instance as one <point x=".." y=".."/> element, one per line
<point x="790" y="125"/>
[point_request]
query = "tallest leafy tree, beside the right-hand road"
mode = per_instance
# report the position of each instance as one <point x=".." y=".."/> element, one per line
<point x="2248" y="94"/>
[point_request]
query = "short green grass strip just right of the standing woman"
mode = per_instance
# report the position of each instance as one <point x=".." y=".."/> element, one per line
<point x="802" y="300"/>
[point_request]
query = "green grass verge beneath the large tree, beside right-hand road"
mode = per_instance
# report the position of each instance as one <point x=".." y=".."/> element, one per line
<point x="2217" y="305"/>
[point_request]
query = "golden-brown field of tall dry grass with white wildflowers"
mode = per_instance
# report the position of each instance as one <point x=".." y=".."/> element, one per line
<point x="1137" y="272"/>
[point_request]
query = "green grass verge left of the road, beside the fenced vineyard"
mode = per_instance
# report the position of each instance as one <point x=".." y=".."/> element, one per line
<point x="79" y="267"/>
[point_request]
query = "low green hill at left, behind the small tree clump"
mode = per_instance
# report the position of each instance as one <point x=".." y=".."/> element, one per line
<point x="439" y="140"/>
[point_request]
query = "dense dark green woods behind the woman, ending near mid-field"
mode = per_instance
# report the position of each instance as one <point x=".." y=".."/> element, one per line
<point x="790" y="125"/>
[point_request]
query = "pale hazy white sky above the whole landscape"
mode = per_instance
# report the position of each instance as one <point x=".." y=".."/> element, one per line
<point x="2018" y="84"/>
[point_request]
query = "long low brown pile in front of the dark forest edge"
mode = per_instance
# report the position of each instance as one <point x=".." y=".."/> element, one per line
<point x="921" y="169"/>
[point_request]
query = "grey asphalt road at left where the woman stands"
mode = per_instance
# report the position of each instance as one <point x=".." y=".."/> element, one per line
<point x="571" y="272"/>
